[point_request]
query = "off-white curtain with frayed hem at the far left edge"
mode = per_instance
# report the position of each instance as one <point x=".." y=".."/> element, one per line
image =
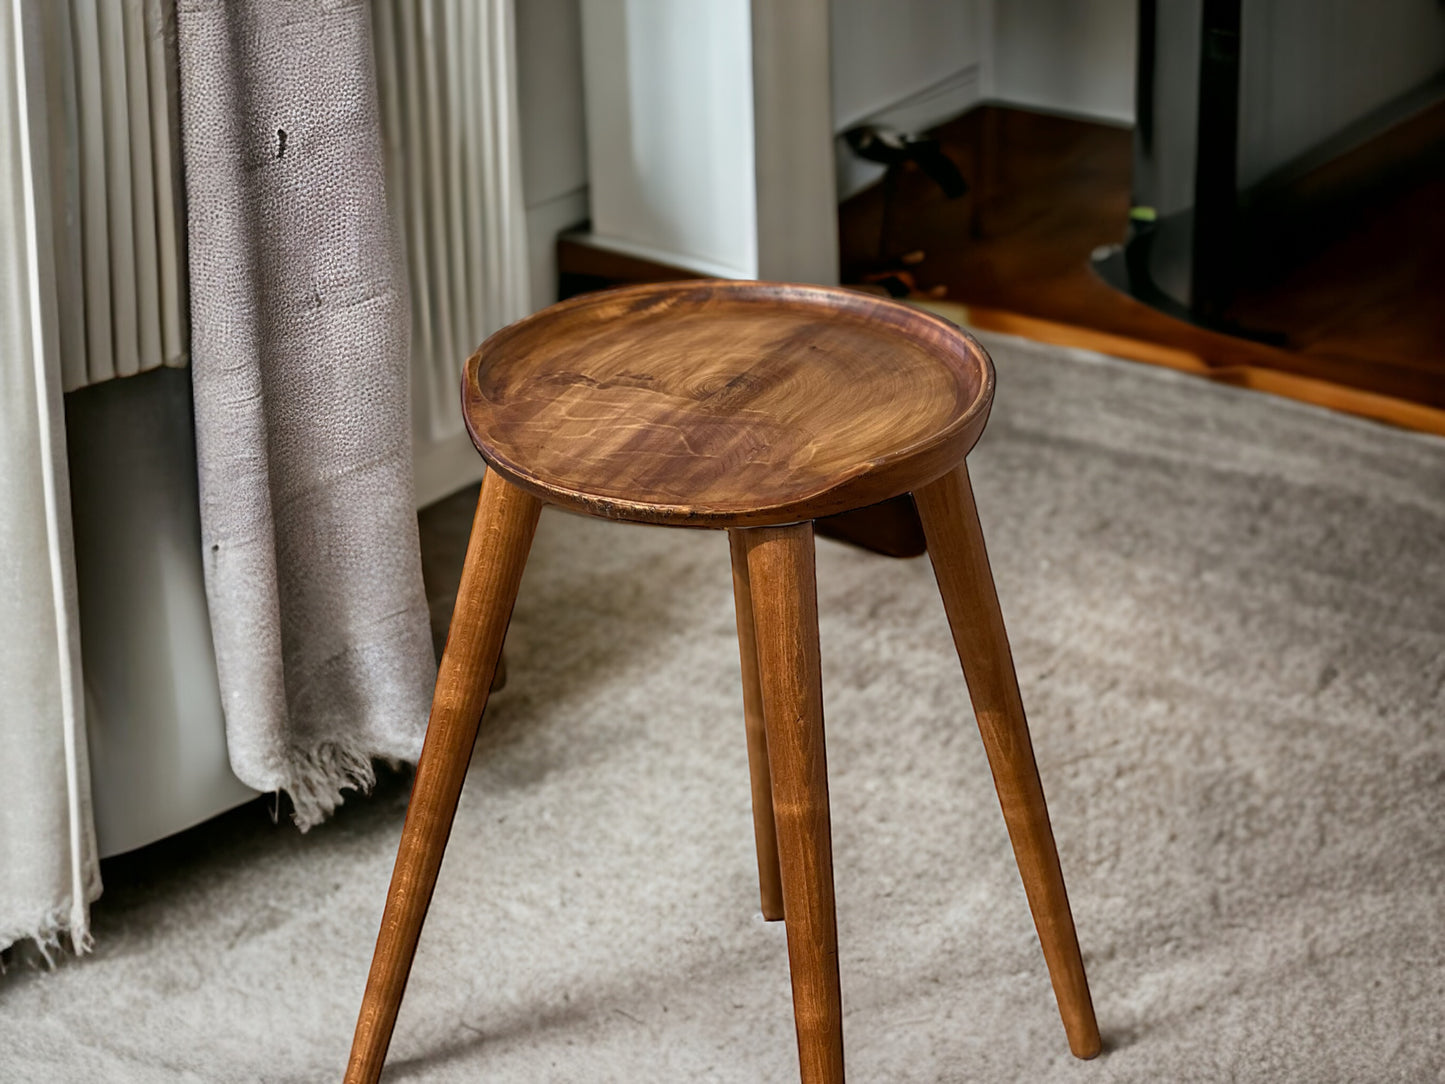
<point x="48" y="865"/>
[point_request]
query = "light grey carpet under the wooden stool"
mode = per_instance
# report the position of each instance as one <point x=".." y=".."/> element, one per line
<point x="1229" y="618"/>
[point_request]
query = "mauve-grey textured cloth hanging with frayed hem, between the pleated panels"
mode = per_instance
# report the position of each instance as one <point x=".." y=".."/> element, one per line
<point x="300" y="343"/>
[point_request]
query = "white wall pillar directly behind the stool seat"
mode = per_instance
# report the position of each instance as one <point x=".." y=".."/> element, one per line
<point x="709" y="131"/>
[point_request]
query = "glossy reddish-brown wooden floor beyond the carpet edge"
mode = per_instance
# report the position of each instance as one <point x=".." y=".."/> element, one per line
<point x="1365" y="320"/>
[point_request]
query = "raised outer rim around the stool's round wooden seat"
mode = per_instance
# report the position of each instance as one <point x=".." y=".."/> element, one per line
<point x="875" y="479"/>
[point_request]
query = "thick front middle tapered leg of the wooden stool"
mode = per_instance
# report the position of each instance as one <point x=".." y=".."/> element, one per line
<point x="785" y="619"/>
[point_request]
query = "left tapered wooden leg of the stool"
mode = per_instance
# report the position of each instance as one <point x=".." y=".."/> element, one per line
<point x="501" y="538"/>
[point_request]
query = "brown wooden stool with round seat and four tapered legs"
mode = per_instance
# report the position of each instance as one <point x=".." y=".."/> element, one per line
<point x="755" y="408"/>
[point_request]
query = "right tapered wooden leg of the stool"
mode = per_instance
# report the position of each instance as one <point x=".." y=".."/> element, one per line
<point x="956" y="546"/>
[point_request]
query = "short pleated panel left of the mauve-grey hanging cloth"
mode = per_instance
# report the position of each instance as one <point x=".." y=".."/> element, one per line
<point x="116" y="167"/>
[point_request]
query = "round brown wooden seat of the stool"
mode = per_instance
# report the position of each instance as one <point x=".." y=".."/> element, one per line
<point x="726" y="404"/>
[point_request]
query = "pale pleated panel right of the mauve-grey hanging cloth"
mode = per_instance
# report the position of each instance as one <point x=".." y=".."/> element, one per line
<point x="447" y="79"/>
